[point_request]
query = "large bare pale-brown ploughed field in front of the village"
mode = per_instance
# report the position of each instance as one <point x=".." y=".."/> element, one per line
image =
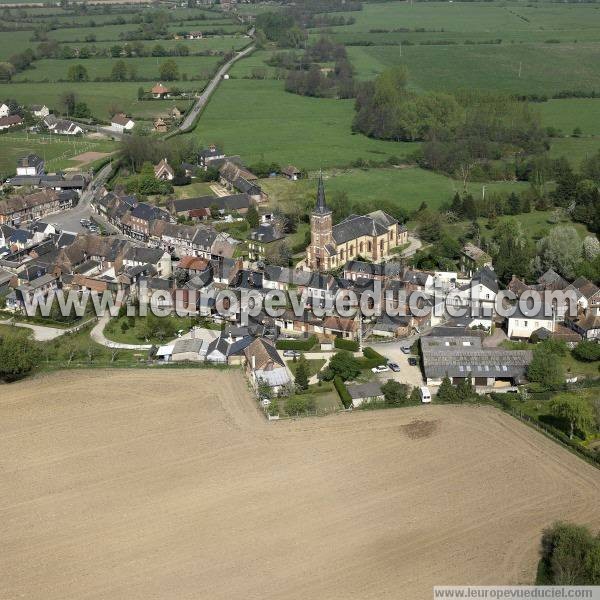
<point x="127" y="485"/>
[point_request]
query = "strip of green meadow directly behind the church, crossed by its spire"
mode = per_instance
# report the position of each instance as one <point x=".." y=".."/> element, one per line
<point x="407" y="186"/>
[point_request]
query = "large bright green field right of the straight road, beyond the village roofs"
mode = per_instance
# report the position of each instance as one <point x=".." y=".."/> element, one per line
<point x="286" y="128"/>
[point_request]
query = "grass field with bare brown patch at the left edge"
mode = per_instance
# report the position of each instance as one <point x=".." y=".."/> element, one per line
<point x="57" y="152"/>
